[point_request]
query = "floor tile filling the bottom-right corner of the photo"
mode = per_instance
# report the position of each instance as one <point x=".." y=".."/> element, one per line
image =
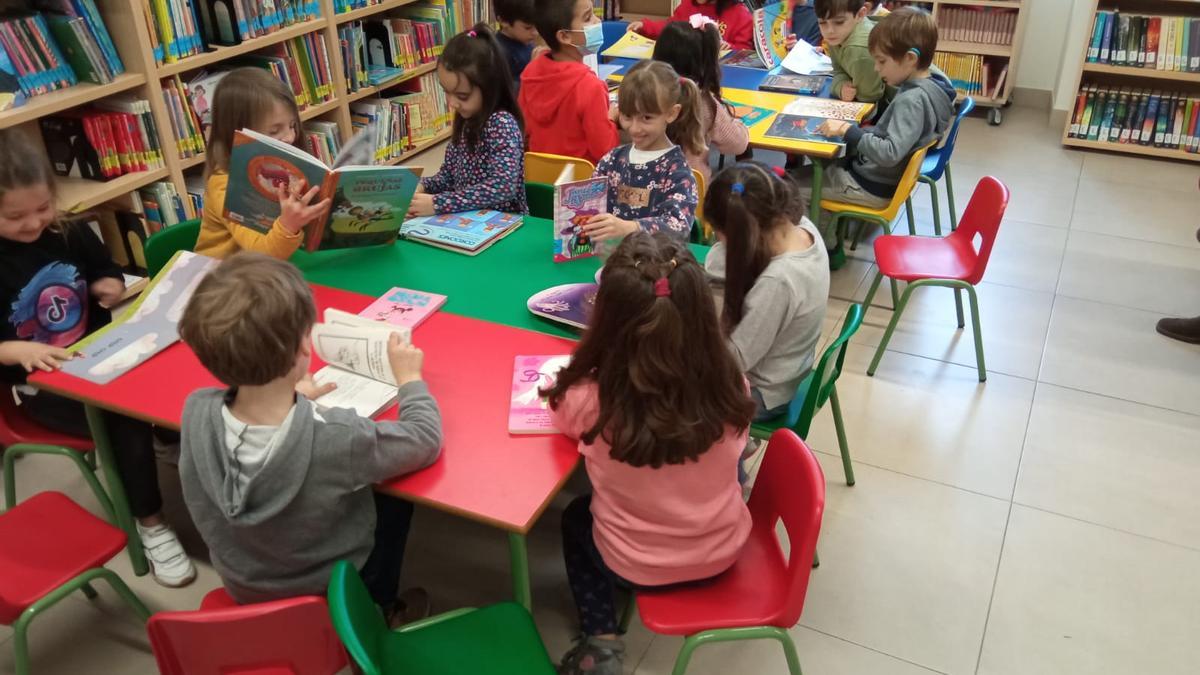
<point x="1073" y="598"/>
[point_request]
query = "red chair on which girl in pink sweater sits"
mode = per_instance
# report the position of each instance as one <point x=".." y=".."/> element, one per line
<point x="763" y="595"/>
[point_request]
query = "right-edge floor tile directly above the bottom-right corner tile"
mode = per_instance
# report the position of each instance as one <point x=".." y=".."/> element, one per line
<point x="1113" y="463"/>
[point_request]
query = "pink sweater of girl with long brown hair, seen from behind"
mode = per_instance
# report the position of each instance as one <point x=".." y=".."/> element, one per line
<point x="668" y="525"/>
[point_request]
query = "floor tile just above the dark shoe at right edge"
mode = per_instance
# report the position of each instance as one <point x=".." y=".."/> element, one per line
<point x="1136" y="274"/>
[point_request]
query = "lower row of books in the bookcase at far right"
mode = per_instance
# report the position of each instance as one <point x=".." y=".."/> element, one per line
<point x="1143" y="117"/>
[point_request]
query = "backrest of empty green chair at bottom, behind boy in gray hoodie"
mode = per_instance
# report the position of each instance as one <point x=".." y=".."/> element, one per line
<point x="357" y="619"/>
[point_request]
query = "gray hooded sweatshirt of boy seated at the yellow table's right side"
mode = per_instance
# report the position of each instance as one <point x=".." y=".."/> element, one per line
<point x="920" y="114"/>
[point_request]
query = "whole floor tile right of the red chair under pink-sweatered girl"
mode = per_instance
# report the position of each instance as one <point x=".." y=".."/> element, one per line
<point x="907" y="568"/>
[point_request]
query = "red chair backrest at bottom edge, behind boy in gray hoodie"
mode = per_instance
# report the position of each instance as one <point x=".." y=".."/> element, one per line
<point x="292" y="636"/>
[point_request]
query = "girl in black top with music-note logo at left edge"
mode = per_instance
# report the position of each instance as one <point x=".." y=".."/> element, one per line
<point x="57" y="283"/>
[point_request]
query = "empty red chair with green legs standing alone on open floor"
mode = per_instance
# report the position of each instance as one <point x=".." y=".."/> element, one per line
<point x="956" y="261"/>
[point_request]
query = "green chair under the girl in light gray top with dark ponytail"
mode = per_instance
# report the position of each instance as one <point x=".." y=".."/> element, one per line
<point x="811" y="399"/>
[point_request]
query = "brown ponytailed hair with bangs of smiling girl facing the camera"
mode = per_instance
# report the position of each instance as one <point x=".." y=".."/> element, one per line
<point x="652" y="88"/>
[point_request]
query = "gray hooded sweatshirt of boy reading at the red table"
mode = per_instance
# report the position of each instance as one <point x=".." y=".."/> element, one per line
<point x="310" y="505"/>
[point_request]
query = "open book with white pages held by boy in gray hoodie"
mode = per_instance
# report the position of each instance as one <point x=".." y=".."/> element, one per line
<point x="356" y="350"/>
